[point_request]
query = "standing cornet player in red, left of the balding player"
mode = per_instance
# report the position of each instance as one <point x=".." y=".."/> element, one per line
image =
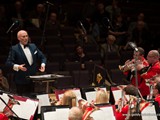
<point x="129" y="70"/>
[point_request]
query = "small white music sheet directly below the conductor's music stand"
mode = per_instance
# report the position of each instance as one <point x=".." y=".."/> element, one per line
<point x="43" y="101"/>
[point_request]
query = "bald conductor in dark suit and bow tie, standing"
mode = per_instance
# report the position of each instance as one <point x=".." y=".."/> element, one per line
<point x="23" y="58"/>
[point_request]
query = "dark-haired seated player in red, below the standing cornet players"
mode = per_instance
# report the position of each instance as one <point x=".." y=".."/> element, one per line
<point x="129" y="107"/>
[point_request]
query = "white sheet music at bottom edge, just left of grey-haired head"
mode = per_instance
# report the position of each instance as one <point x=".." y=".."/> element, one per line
<point x="59" y="114"/>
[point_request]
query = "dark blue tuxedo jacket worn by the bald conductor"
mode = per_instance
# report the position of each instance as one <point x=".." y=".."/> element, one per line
<point x="17" y="56"/>
